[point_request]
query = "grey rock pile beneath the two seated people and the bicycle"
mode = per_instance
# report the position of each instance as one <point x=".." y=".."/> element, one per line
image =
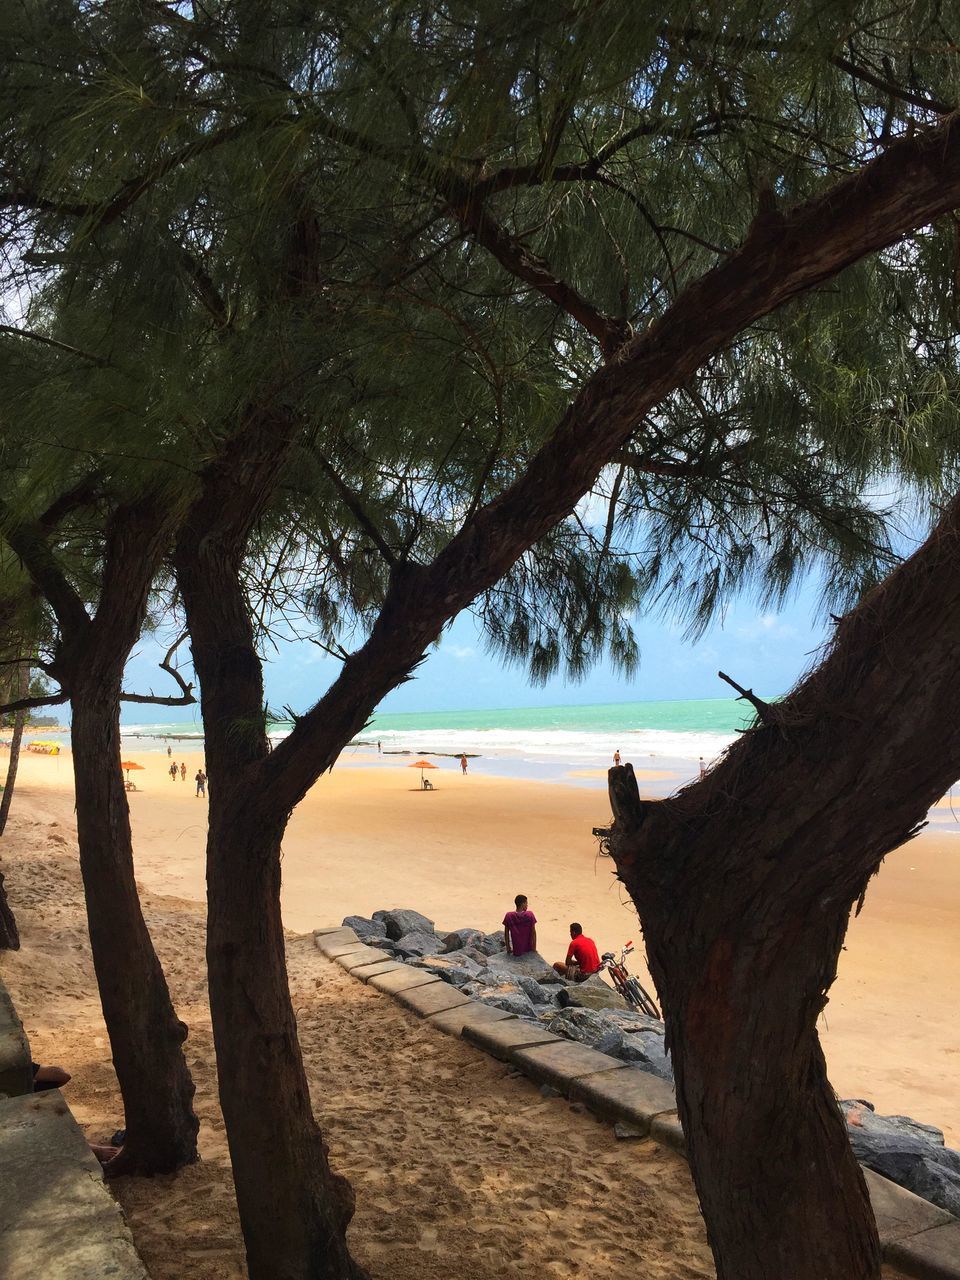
<point x="527" y="986"/>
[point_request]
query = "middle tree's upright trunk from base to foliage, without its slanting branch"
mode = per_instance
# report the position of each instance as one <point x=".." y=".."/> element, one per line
<point x="294" y="1209"/>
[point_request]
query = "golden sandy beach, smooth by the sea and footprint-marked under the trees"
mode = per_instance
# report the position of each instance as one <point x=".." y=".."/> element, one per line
<point x="474" y="1145"/>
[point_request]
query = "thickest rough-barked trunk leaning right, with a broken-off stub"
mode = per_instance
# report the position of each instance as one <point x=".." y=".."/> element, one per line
<point x="744" y="885"/>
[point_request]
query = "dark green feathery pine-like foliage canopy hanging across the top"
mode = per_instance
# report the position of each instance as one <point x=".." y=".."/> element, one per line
<point x="419" y="230"/>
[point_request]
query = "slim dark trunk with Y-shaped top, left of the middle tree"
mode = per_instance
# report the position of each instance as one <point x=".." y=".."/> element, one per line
<point x="147" y="1037"/>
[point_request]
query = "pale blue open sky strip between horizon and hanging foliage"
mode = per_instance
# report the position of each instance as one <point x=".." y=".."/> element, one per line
<point x="765" y="651"/>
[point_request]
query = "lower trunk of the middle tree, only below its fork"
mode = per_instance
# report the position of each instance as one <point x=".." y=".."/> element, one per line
<point x="294" y="1210"/>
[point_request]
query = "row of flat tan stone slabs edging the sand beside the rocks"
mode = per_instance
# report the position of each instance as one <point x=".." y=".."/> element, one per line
<point x="917" y="1237"/>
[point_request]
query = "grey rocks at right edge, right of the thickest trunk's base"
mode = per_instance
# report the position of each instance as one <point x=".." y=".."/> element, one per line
<point x="908" y="1153"/>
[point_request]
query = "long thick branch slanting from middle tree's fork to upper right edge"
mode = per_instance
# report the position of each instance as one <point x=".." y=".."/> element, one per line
<point x="913" y="182"/>
